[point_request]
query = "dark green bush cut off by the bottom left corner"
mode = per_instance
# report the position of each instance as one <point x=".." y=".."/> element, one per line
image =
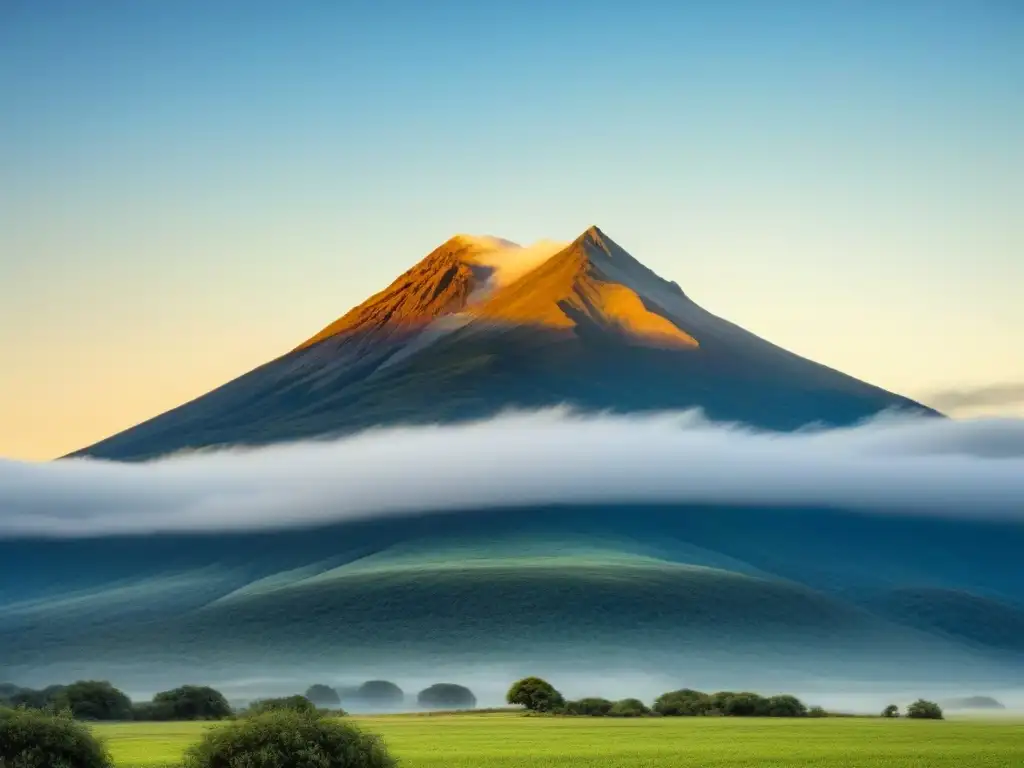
<point x="30" y="739"/>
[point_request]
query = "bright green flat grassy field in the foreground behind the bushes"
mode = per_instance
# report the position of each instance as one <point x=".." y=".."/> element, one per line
<point x="517" y="742"/>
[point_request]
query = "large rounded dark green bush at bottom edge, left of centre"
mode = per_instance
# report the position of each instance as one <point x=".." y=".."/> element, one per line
<point x="288" y="740"/>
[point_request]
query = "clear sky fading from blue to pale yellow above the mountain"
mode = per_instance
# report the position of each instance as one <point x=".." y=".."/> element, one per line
<point x="189" y="189"/>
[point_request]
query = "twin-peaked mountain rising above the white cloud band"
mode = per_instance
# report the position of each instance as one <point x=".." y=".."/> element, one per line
<point x="482" y="325"/>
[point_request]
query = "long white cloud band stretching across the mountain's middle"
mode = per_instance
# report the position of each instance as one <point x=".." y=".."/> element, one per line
<point x="893" y="464"/>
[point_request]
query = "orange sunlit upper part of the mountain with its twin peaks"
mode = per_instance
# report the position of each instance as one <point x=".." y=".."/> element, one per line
<point x="548" y="285"/>
